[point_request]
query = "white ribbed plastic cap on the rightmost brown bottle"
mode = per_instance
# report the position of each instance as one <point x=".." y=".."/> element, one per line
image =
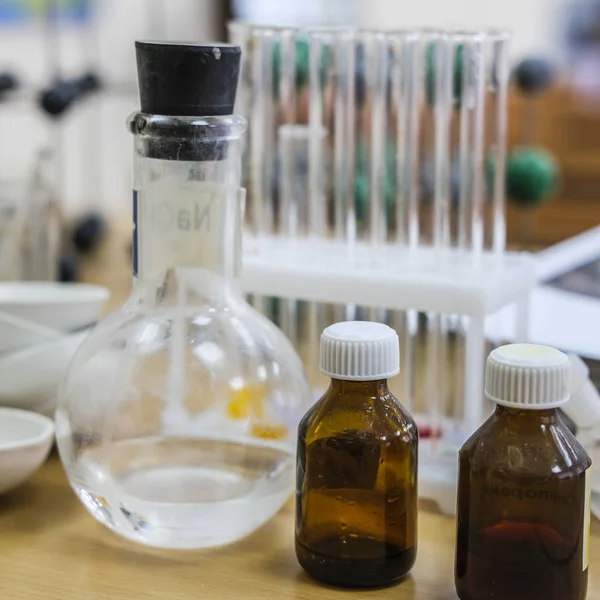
<point x="527" y="376"/>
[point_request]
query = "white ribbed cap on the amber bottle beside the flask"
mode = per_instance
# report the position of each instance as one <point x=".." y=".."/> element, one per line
<point x="359" y="351"/>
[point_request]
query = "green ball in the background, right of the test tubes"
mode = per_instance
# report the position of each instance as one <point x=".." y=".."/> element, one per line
<point x="531" y="176"/>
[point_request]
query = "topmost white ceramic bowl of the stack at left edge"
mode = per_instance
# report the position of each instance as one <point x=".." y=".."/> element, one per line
<point x="58" y="306"/>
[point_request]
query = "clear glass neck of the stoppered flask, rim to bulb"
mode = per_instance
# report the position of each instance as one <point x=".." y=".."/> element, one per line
<point x="187" y="208"/>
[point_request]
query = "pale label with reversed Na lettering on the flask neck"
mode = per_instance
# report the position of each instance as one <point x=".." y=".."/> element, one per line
<point x="187" y="225"/>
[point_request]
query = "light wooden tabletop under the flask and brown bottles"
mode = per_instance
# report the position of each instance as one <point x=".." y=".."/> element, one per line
<point x="52" y="549"/>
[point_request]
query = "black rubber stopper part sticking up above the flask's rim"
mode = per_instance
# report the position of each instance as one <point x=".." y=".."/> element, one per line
<point x="187" y="80"/>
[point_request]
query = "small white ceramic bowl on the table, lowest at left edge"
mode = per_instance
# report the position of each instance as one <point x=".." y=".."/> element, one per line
<point x="25" y="441"/>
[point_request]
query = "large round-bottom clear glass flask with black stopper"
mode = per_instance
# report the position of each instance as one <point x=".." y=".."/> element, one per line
<point x="176" y="423"/>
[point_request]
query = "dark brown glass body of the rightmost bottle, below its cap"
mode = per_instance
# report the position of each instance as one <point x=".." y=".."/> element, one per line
<point x="523" y="512"/>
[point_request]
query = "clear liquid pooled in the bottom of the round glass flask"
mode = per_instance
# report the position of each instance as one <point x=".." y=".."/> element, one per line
<point x="184" y="493"/>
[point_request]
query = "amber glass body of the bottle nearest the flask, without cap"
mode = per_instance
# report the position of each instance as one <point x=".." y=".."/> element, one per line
<point x="356" y="499"/>
